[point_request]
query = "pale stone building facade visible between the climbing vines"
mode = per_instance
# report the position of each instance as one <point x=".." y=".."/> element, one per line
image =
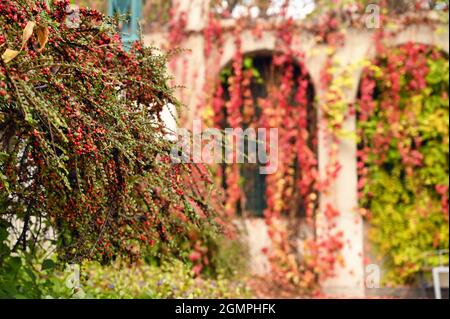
<point x="195" y="70"/>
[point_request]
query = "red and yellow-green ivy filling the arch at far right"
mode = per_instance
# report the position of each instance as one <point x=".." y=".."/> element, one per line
<point x="404" y="157"/>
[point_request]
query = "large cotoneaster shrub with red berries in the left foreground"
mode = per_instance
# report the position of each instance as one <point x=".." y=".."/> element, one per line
<point x="83" y="155"/>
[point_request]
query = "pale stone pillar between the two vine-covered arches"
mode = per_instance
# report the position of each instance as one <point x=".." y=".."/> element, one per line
<point x="350" y="277"/>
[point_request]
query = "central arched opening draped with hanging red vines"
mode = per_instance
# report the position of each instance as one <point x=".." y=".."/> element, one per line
<point x="273" y="91"/>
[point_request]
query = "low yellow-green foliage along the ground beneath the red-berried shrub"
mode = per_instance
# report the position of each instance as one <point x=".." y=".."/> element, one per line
<point x="35" y="276"/>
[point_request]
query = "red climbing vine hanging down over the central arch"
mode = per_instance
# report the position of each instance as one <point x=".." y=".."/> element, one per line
<point x="293" y="190"/>
